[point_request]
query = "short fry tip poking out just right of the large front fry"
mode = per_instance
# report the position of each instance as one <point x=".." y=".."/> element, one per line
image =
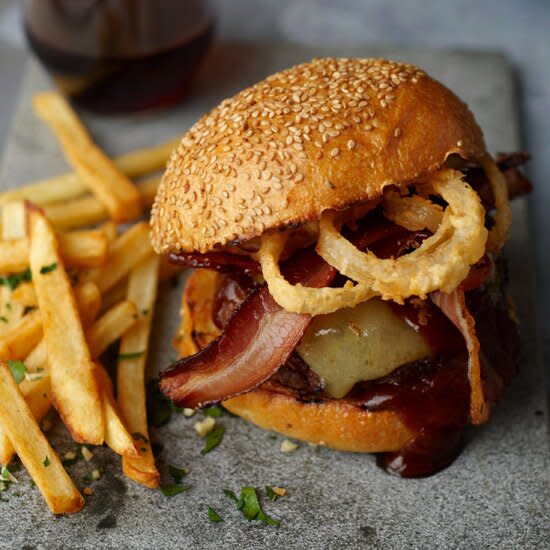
<point x="116" y="434"/>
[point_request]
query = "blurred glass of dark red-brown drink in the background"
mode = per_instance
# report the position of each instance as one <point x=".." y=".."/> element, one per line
<point x="120" y="56"/>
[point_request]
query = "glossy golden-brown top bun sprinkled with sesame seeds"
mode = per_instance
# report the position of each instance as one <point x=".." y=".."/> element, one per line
<point x="317" y="136"/>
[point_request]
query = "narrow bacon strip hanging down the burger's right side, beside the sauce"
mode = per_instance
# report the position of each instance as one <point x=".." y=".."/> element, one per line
<point x="483" y="392"/>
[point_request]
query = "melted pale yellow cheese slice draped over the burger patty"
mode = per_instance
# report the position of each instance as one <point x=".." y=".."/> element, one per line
<point x="361" y="343"/>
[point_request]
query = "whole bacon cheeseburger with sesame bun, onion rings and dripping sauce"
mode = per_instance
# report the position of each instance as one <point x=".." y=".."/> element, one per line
<point x="345" y="222"/>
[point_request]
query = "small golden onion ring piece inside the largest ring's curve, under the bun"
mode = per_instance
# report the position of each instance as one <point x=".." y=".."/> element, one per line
<point x="413" y="213"/>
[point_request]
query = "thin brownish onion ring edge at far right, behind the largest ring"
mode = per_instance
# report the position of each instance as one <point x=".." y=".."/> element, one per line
<point x="498" y="234"/>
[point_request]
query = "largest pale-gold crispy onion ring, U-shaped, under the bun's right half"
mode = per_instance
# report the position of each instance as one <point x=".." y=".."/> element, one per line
<point x="440" y="263"/>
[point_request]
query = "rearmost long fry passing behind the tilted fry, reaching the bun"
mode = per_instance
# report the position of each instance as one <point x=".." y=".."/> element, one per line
<point x="70" y="186"/>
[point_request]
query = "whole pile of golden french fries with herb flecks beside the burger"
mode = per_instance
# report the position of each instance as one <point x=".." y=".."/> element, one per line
<point x="72" y="285"/>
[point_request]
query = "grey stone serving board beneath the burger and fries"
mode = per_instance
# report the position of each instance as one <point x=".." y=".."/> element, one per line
<point x="494" y="495"/>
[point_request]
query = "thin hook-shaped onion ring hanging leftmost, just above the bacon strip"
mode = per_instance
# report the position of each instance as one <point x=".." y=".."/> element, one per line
<point x="298" y="298"/>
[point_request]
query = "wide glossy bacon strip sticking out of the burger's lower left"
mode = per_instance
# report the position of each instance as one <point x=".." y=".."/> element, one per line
<point x="255" y="343"/>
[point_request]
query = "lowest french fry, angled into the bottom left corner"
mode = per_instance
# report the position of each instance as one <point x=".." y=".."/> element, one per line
<point x="36" y="454"/>
